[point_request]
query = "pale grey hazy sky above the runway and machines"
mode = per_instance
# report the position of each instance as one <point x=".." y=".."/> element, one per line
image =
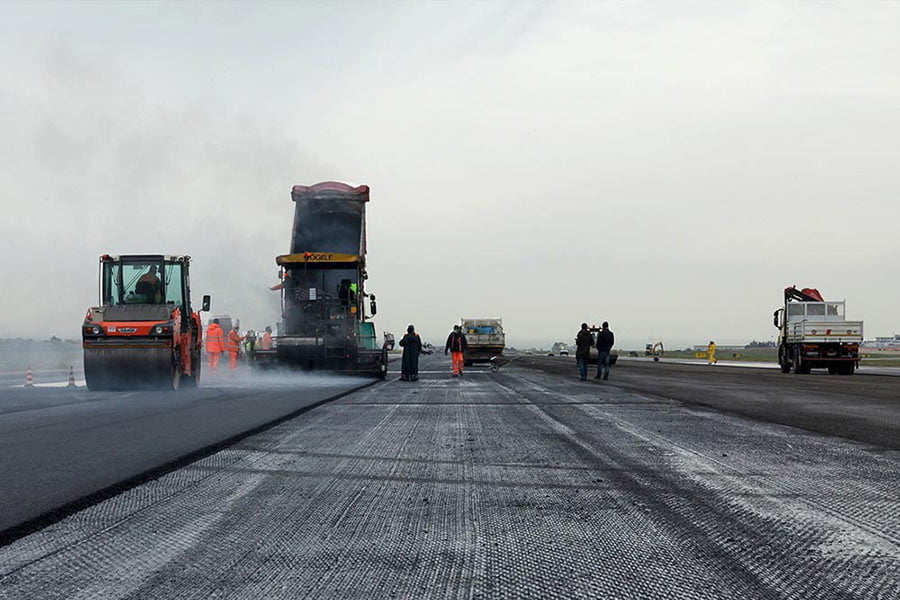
<point x="667" y="166"/>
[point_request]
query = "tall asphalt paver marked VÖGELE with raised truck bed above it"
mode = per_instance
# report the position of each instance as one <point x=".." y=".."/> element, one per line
<point x="324" y="324"/>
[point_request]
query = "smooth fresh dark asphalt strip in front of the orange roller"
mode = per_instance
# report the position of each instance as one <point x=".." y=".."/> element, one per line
<point x="61" y="444"/>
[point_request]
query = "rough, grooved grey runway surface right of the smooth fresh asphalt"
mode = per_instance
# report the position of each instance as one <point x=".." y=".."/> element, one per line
<point x="525" y="483"/>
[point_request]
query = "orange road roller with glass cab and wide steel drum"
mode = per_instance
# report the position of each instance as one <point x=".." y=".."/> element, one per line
<point x="144" y="334"/>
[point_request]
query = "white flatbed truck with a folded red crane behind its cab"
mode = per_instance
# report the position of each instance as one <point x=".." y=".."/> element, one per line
<point x="813" y="333"/>
